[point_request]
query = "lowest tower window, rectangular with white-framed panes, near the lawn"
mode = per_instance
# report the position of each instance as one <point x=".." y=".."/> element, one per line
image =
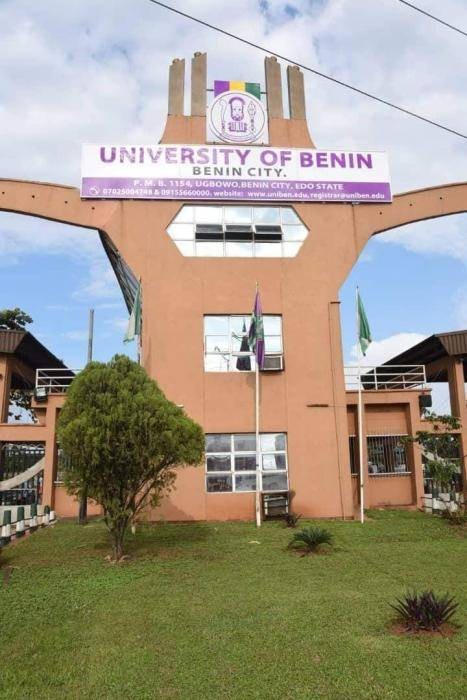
<point x="231" y="462"/>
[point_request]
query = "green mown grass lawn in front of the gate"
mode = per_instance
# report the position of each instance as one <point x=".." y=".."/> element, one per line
<point x="202" y="611"/>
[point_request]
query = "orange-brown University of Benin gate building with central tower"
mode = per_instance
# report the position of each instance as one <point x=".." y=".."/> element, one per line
<point x="237" y="195"/>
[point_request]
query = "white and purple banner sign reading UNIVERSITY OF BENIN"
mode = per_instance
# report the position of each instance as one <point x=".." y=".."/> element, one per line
<point x="233" y="172"/>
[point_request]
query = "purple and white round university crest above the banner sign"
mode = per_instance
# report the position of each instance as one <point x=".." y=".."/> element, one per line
<point x="237" y="114"/>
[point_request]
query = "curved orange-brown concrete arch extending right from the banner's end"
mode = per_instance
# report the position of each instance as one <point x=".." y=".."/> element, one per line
<point x="409" y="207"/>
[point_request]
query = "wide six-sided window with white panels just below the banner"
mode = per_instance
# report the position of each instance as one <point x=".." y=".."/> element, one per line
<point x="238" y="232"/>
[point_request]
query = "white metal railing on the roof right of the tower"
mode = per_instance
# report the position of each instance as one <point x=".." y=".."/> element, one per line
<point x="393" y="377"/>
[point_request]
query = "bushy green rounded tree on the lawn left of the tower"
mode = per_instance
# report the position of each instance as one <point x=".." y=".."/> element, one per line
<point x="124" y="441"/>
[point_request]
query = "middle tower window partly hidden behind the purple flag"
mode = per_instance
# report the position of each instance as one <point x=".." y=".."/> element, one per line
<point x="225" y="342"/>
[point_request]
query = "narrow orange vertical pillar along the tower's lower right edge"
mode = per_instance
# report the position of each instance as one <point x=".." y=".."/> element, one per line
<point x="340" y="411"/>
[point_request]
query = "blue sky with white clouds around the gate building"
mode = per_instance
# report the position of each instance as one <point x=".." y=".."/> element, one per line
<point x="98" y="72"/>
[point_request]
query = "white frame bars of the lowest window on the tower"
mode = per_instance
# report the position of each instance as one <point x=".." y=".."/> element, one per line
<point x="233" y="473"/>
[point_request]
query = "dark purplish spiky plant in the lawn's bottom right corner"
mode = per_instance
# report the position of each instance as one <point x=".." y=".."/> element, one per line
<point x="425" y="611"/>
